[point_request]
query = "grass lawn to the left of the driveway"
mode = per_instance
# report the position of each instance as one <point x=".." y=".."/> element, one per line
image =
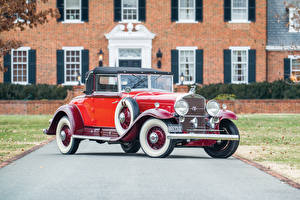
<point x="20" y="133"/>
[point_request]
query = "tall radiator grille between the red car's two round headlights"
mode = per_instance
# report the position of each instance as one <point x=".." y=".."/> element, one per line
<point x="196" y="110"/>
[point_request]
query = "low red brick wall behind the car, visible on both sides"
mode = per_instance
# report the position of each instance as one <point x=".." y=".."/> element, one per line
<point x="237" y="106"/>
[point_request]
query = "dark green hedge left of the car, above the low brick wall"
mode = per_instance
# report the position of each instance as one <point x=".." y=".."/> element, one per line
<point x="32" y="92"/>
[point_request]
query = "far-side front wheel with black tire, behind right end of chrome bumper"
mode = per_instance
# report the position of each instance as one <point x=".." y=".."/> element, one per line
<point x="224" y="148"/>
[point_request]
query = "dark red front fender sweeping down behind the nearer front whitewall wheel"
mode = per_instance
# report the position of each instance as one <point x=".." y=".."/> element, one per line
<point x="133" y="131"/>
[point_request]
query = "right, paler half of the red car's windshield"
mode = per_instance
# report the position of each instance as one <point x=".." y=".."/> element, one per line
<point x="161" y="82"/>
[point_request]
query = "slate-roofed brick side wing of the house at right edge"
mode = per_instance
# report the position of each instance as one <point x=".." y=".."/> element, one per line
<point x="283" y="45"/>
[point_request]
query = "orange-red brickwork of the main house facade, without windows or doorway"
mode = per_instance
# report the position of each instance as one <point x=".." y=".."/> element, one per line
<point x="213" y="35"/>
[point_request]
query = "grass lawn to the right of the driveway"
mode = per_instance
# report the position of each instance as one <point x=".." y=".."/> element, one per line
<point x="271" y="137"/>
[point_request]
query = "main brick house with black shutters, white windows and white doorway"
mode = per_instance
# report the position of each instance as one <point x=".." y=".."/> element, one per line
<point x="207" y="41"/>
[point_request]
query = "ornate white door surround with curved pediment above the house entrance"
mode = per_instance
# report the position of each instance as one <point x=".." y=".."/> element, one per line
<point x="135" y="37"/>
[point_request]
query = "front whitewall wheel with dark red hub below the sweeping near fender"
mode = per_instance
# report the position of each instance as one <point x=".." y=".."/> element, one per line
<point x="153" y="139"/>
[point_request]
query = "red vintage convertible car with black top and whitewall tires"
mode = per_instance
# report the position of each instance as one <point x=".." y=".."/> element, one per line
<point x="137" y="108"/>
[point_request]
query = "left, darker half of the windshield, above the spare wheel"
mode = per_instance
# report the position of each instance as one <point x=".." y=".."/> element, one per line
<point x="134" y="81"/>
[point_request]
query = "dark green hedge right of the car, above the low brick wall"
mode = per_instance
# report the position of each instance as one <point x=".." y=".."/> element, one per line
<point x="263" y="90"/>
